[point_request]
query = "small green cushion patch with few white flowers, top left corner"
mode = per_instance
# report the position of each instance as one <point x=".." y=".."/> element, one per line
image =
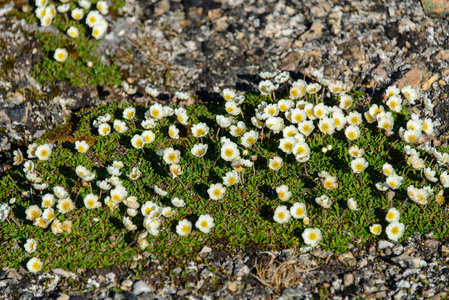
<point x="70" y="49"/>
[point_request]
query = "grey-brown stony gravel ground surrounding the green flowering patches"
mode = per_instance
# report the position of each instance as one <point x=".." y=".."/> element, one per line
<point x="202" y="47"/>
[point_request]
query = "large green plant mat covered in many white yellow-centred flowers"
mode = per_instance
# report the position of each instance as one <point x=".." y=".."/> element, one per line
<point x="298" y="165"/>
